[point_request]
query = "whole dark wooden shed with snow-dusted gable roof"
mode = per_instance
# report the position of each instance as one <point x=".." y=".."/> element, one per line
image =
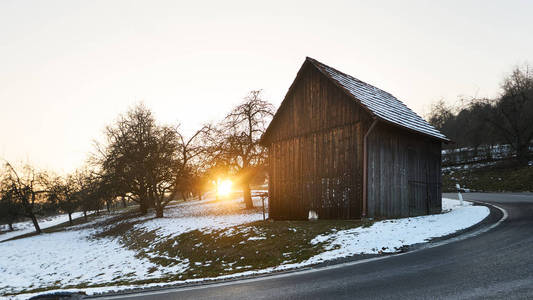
<point x="345" y="149"/>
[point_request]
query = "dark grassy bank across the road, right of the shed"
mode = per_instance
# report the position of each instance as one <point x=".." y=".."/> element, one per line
<point x="501" y="177"/>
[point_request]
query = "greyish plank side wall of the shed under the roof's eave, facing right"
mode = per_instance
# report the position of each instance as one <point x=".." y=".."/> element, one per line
<point x="404" y="173"/>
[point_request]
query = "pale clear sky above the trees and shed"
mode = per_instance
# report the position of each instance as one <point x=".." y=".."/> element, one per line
<point x="68" y="68"/>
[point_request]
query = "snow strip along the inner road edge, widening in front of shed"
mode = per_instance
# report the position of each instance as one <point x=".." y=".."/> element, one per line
<point x="382" y="237"/>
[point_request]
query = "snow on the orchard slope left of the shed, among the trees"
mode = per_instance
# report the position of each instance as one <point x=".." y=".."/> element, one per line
<point x="73" y="257"/>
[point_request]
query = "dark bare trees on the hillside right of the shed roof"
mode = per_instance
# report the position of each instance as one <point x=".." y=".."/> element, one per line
<point x="507" y="119"/>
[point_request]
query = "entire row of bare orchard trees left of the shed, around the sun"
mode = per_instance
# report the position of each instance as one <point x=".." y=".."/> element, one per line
<point x="145" y="162"/>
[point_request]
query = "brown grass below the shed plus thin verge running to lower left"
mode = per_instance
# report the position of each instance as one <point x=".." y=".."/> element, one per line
<point x="247" y="247"/>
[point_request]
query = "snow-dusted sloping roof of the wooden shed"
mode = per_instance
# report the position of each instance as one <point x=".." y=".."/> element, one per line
<point x="380" y="103"/>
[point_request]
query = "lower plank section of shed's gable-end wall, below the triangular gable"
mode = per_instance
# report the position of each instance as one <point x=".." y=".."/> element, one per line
<point x="320" y="172"/>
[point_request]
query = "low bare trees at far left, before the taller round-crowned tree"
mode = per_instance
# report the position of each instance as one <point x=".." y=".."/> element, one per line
<point x="26" y="193"/>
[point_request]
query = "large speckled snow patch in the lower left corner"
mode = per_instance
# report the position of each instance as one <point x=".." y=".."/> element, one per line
<point x="69" y="258"/>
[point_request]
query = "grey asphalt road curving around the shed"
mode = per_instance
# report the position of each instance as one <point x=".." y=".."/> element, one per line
<point x="494" y="264"/>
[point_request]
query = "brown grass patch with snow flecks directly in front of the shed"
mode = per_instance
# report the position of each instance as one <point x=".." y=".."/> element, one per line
<point x="247" y="247"/>
